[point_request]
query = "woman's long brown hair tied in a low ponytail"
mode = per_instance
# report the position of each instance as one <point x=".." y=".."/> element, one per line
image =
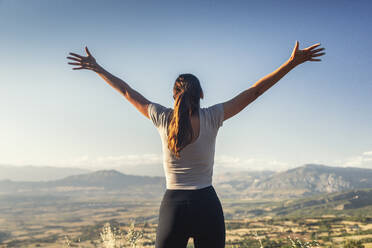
<point x="186" y="94"/>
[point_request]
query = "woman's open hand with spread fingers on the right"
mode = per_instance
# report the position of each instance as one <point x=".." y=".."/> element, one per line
<point x="307" y="54"/>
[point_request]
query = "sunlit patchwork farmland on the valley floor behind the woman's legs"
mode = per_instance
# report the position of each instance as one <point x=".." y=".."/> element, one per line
<point x="46" y="221"/>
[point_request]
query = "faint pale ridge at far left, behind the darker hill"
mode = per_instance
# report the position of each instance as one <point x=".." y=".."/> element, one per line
<point x="37" y="173"/>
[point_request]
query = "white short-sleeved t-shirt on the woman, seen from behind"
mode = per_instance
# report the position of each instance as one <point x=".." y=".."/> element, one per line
<point x="194" y="168"/>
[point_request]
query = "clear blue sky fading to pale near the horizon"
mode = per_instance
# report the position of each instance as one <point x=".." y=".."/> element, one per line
<point x="52" y="115"/>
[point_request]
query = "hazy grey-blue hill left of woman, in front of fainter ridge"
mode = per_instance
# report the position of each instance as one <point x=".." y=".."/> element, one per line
<point x="98" y="182"/>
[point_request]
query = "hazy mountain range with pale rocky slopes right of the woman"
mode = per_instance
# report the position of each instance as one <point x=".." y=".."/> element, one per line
<point x="305" y="180"/>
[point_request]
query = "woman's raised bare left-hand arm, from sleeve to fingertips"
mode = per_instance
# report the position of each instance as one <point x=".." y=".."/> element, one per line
<point x="89" y="62"/>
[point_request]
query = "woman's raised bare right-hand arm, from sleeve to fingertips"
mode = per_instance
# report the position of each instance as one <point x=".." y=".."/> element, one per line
<point x="238" y="103"/>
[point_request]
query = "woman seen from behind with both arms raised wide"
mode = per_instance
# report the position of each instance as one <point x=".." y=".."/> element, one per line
<point x="190" y="205"/>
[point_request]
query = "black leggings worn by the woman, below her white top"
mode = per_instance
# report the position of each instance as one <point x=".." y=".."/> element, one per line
<point x="190" y="213"/>
